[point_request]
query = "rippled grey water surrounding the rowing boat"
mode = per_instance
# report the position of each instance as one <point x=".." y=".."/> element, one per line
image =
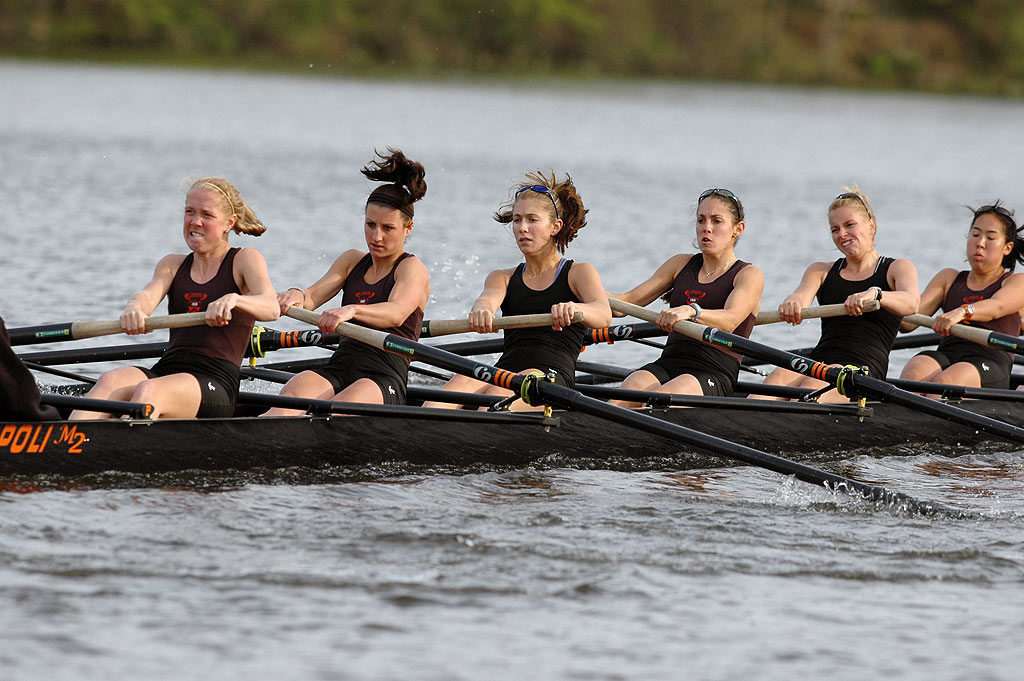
<point x="546" y="573"/>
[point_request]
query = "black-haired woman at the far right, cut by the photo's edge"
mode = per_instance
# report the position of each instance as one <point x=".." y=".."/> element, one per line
<point x="988" y="296"/>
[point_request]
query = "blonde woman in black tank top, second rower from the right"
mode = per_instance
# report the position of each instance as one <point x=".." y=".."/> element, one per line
<point x="862" y="275"/>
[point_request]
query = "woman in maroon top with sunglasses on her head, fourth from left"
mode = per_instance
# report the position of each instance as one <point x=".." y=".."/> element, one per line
<point x="713" y="287"/>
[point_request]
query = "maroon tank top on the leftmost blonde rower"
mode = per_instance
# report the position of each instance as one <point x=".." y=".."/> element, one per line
<point x="228" y="344"/>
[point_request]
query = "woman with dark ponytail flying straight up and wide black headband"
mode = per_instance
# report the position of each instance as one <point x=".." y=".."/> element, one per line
<point x="383" y="288"/>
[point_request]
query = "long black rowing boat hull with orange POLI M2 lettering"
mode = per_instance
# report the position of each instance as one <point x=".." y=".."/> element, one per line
<point x="333" y="435"/>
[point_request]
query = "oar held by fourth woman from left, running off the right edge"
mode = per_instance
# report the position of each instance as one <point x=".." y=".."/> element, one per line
<point x="845" y="379"/>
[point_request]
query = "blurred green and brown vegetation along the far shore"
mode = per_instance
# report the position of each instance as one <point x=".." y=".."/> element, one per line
<point x="944" y="47"/>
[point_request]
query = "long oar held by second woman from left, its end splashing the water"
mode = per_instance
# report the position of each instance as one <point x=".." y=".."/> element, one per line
<point x="536" y="391"/>
